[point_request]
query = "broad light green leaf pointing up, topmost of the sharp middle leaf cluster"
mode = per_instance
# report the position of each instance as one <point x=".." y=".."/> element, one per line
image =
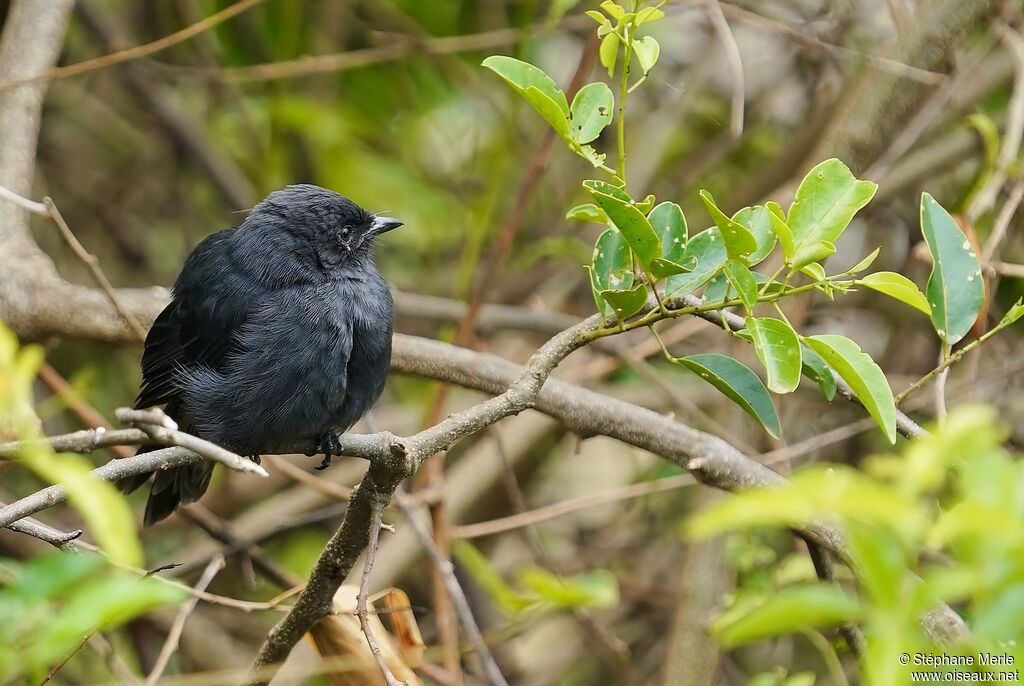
<point x="827" y="201"/>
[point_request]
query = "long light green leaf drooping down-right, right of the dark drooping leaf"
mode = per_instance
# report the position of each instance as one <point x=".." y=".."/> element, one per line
<point x="865" y="377"/>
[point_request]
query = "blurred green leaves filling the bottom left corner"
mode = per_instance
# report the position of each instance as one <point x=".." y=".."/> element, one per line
<point x="51" y="606"/>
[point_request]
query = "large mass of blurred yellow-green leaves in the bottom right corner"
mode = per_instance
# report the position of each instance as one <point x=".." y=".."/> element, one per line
<point x="941" y="523"/>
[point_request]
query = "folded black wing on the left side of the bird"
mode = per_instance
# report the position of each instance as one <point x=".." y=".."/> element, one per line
<point x="211" y="302"/>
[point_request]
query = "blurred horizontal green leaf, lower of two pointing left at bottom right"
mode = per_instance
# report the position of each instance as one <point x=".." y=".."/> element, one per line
<point x="789" y="611"/>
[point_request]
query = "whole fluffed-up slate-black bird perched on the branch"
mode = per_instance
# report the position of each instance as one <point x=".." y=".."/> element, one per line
<point x="278" y="334"/>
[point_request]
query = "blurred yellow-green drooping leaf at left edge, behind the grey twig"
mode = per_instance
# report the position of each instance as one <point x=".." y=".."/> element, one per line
<point x="104" y="508"/>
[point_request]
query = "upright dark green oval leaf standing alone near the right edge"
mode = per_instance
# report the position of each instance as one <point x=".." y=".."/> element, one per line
<point x="956" y="291"/>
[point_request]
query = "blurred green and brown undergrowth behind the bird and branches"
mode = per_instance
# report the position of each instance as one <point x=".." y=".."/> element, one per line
<point x="147" y="158"/>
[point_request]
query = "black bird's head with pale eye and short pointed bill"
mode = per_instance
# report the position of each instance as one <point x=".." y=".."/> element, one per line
<point x="318" y="228"/>
